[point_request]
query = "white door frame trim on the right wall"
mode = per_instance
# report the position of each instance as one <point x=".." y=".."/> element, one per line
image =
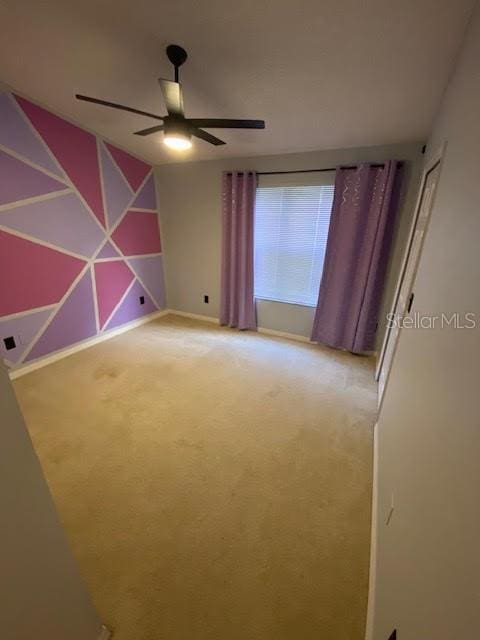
<point x="434" y="159"/>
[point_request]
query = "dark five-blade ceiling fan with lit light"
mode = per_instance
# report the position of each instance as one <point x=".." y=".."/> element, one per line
<point x="178" y="130"/>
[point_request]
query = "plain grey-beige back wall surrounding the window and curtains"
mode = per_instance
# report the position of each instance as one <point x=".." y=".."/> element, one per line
<point x="189" y="196"/>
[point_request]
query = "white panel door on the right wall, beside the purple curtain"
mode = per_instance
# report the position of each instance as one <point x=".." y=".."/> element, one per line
<point x="405" y="295"/>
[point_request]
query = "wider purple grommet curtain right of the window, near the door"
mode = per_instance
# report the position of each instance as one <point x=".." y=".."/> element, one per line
<point x="358" y="246"/>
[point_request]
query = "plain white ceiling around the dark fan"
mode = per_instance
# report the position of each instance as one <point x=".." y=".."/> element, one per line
<point x="322" y="73"/>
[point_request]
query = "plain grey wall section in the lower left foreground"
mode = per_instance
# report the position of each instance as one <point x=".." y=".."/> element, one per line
<point x="41" y="594"/>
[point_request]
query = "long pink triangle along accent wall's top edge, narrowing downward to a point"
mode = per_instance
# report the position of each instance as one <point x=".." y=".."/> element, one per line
<point x="75" y="150"/>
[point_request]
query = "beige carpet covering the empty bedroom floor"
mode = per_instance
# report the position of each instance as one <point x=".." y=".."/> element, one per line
<point x="215" y="485"/>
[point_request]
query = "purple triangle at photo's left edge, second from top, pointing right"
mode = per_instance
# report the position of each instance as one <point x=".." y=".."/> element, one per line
<point x="20" y="181"/>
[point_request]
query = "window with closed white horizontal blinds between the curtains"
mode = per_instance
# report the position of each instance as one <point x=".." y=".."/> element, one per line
<point x="291" y="228"/>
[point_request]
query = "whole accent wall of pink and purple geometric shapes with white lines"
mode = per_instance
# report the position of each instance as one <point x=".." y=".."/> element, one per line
<point x="80" y="249"/>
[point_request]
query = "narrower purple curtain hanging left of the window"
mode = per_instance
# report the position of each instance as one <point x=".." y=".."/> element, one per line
<point x="237" y="308"/>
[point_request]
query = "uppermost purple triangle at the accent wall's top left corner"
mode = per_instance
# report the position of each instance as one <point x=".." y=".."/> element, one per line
<point x="16" y="134"/>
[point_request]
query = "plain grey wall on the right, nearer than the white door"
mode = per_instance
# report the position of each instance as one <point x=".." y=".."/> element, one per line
<point x="429" y="428"/>
